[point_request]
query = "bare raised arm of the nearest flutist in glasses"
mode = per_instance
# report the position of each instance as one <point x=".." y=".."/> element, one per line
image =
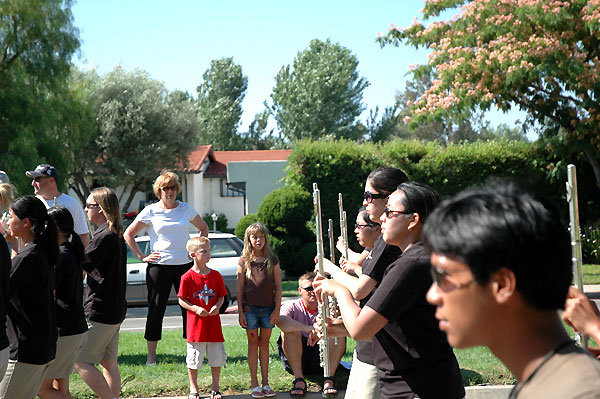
<point x="362" y="324"/>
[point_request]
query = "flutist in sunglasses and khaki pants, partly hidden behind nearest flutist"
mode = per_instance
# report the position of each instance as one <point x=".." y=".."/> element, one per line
<point x="363" y="382"/>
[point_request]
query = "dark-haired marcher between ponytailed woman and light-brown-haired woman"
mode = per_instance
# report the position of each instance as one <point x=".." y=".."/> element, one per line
<point x="72" y="326"/>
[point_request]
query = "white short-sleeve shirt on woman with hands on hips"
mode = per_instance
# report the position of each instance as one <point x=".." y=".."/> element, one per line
<point x="169" y="231"/>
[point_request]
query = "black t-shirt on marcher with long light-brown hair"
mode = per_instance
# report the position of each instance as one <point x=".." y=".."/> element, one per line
<point x="107" y="277"/>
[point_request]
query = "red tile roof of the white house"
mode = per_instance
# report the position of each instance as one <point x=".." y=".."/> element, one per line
<point x="220" y="159"/>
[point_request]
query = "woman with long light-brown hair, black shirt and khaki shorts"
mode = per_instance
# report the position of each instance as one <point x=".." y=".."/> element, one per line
<point x="105" y="304"/>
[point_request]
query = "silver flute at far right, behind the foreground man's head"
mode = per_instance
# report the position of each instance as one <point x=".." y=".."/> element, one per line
<point x="577" y="256"/>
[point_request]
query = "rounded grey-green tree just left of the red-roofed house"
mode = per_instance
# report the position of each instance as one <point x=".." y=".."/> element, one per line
<point x="140" y="129"/>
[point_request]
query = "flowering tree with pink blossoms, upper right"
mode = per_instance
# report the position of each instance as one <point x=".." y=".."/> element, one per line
<point x="542" y="56"/>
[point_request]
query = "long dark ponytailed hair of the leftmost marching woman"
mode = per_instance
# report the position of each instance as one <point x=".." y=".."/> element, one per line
<point x="44" y="229"/>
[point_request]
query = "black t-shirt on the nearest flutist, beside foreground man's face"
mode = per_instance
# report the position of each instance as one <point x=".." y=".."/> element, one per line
<point x="411" y="344"/>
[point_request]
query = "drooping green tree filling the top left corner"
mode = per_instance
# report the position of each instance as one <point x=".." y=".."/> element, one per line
<point x="37" y="41"/>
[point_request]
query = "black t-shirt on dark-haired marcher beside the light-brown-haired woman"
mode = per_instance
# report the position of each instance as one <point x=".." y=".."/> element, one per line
<point x="70" y="317"/>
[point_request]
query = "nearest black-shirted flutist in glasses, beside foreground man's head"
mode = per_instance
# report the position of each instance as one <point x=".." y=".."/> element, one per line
<point x="411" y="353"/>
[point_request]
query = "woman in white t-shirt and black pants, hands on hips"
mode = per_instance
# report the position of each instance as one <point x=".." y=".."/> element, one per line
<point x="167" y="222"/>
